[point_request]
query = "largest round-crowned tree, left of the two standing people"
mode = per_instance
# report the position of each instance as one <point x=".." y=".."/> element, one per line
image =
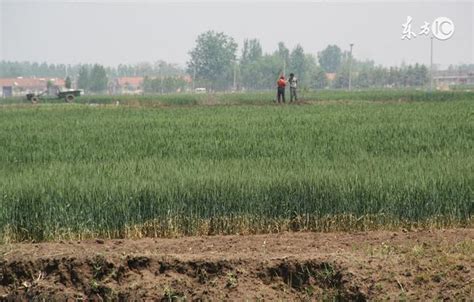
<point x="213" y="58"/>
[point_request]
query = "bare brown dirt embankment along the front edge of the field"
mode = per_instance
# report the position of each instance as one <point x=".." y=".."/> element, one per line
<point x="288" y="266"/>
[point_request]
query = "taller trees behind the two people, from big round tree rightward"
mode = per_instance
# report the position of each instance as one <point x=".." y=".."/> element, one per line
<point x="214" y="63"/>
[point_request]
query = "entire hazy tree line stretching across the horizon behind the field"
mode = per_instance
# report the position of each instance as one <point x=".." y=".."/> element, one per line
<point x="216" y="64"/>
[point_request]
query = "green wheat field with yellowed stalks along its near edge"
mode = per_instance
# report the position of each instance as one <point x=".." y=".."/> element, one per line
<point x="235" y="164"/>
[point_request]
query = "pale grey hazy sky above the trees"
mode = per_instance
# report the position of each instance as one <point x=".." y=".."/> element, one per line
<point x="113" y="32"/>
